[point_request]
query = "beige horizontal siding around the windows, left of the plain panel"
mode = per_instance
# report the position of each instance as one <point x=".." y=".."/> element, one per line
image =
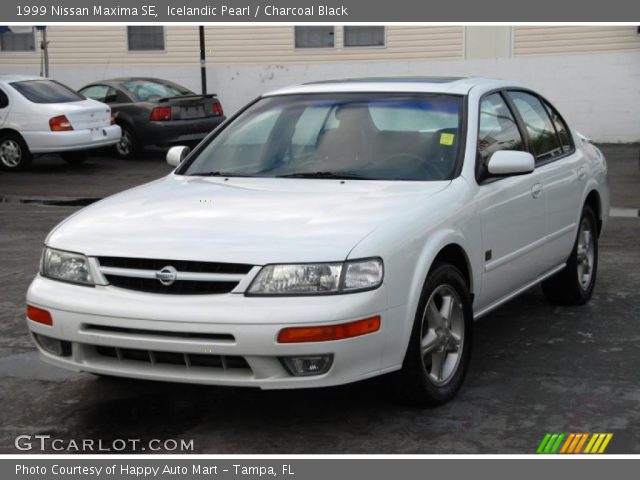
<point x="107" y="45"/>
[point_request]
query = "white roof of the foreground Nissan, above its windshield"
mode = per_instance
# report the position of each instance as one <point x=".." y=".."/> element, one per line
<point x="452" y="85"/>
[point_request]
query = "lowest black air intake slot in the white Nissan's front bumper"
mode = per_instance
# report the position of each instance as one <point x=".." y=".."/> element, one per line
<point x="188" y="360"/>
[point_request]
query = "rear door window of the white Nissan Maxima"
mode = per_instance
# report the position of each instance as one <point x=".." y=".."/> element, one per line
<point x="542" y="134"/>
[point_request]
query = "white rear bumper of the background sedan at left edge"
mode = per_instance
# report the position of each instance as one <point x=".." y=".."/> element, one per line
<point x="51" y="142"/>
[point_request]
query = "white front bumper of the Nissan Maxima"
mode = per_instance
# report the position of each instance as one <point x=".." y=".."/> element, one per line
<point x="226" y="327"/>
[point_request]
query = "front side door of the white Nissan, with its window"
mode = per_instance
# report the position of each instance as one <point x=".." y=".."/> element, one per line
<point x="512" y="208"/>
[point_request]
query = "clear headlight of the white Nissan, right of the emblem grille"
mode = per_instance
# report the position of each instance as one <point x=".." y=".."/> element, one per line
<point x="318" y="278"/>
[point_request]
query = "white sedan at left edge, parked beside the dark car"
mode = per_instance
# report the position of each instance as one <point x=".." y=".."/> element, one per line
<point x="39" y="115"/>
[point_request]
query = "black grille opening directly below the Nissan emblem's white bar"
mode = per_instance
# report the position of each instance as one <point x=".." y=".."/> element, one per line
<point x="179" y="287"/>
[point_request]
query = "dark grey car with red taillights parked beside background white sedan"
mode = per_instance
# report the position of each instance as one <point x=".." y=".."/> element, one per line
<point x="152" y="111"/>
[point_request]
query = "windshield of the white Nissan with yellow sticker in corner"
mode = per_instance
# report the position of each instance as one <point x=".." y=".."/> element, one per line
<point x="354" y="136"/>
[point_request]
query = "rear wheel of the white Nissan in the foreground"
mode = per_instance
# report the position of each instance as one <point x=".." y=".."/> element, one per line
<point x="573" y="285"/>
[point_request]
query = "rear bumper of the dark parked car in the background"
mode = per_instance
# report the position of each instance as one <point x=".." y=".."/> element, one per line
<point x="176" y="132"/>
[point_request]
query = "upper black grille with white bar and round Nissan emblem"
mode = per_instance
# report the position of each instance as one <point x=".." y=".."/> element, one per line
<point x="190" y="277"/>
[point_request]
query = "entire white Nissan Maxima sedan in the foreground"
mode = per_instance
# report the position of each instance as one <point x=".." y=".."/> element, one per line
<point x="328" y="233"/>
